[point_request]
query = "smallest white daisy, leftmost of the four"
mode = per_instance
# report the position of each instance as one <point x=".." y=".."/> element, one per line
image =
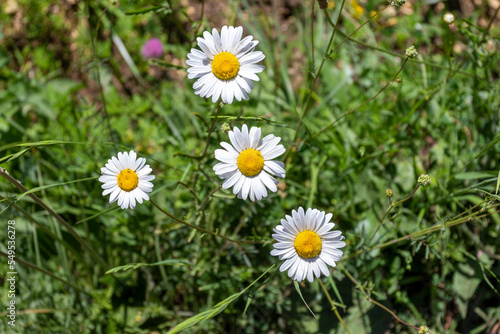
<point x="127" y="179"/>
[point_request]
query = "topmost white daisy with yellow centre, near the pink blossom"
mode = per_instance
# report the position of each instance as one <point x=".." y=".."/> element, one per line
<point x="226" y="65"/>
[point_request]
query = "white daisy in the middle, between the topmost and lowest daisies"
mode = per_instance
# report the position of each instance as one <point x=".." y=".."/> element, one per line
<point x="246" y="163"/>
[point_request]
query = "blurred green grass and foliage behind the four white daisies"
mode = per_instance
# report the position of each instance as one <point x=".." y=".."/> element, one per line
<point x="74" y="91"/>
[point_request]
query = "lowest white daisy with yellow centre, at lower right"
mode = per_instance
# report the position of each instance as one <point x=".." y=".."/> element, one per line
<point x="307" y="245"/>
